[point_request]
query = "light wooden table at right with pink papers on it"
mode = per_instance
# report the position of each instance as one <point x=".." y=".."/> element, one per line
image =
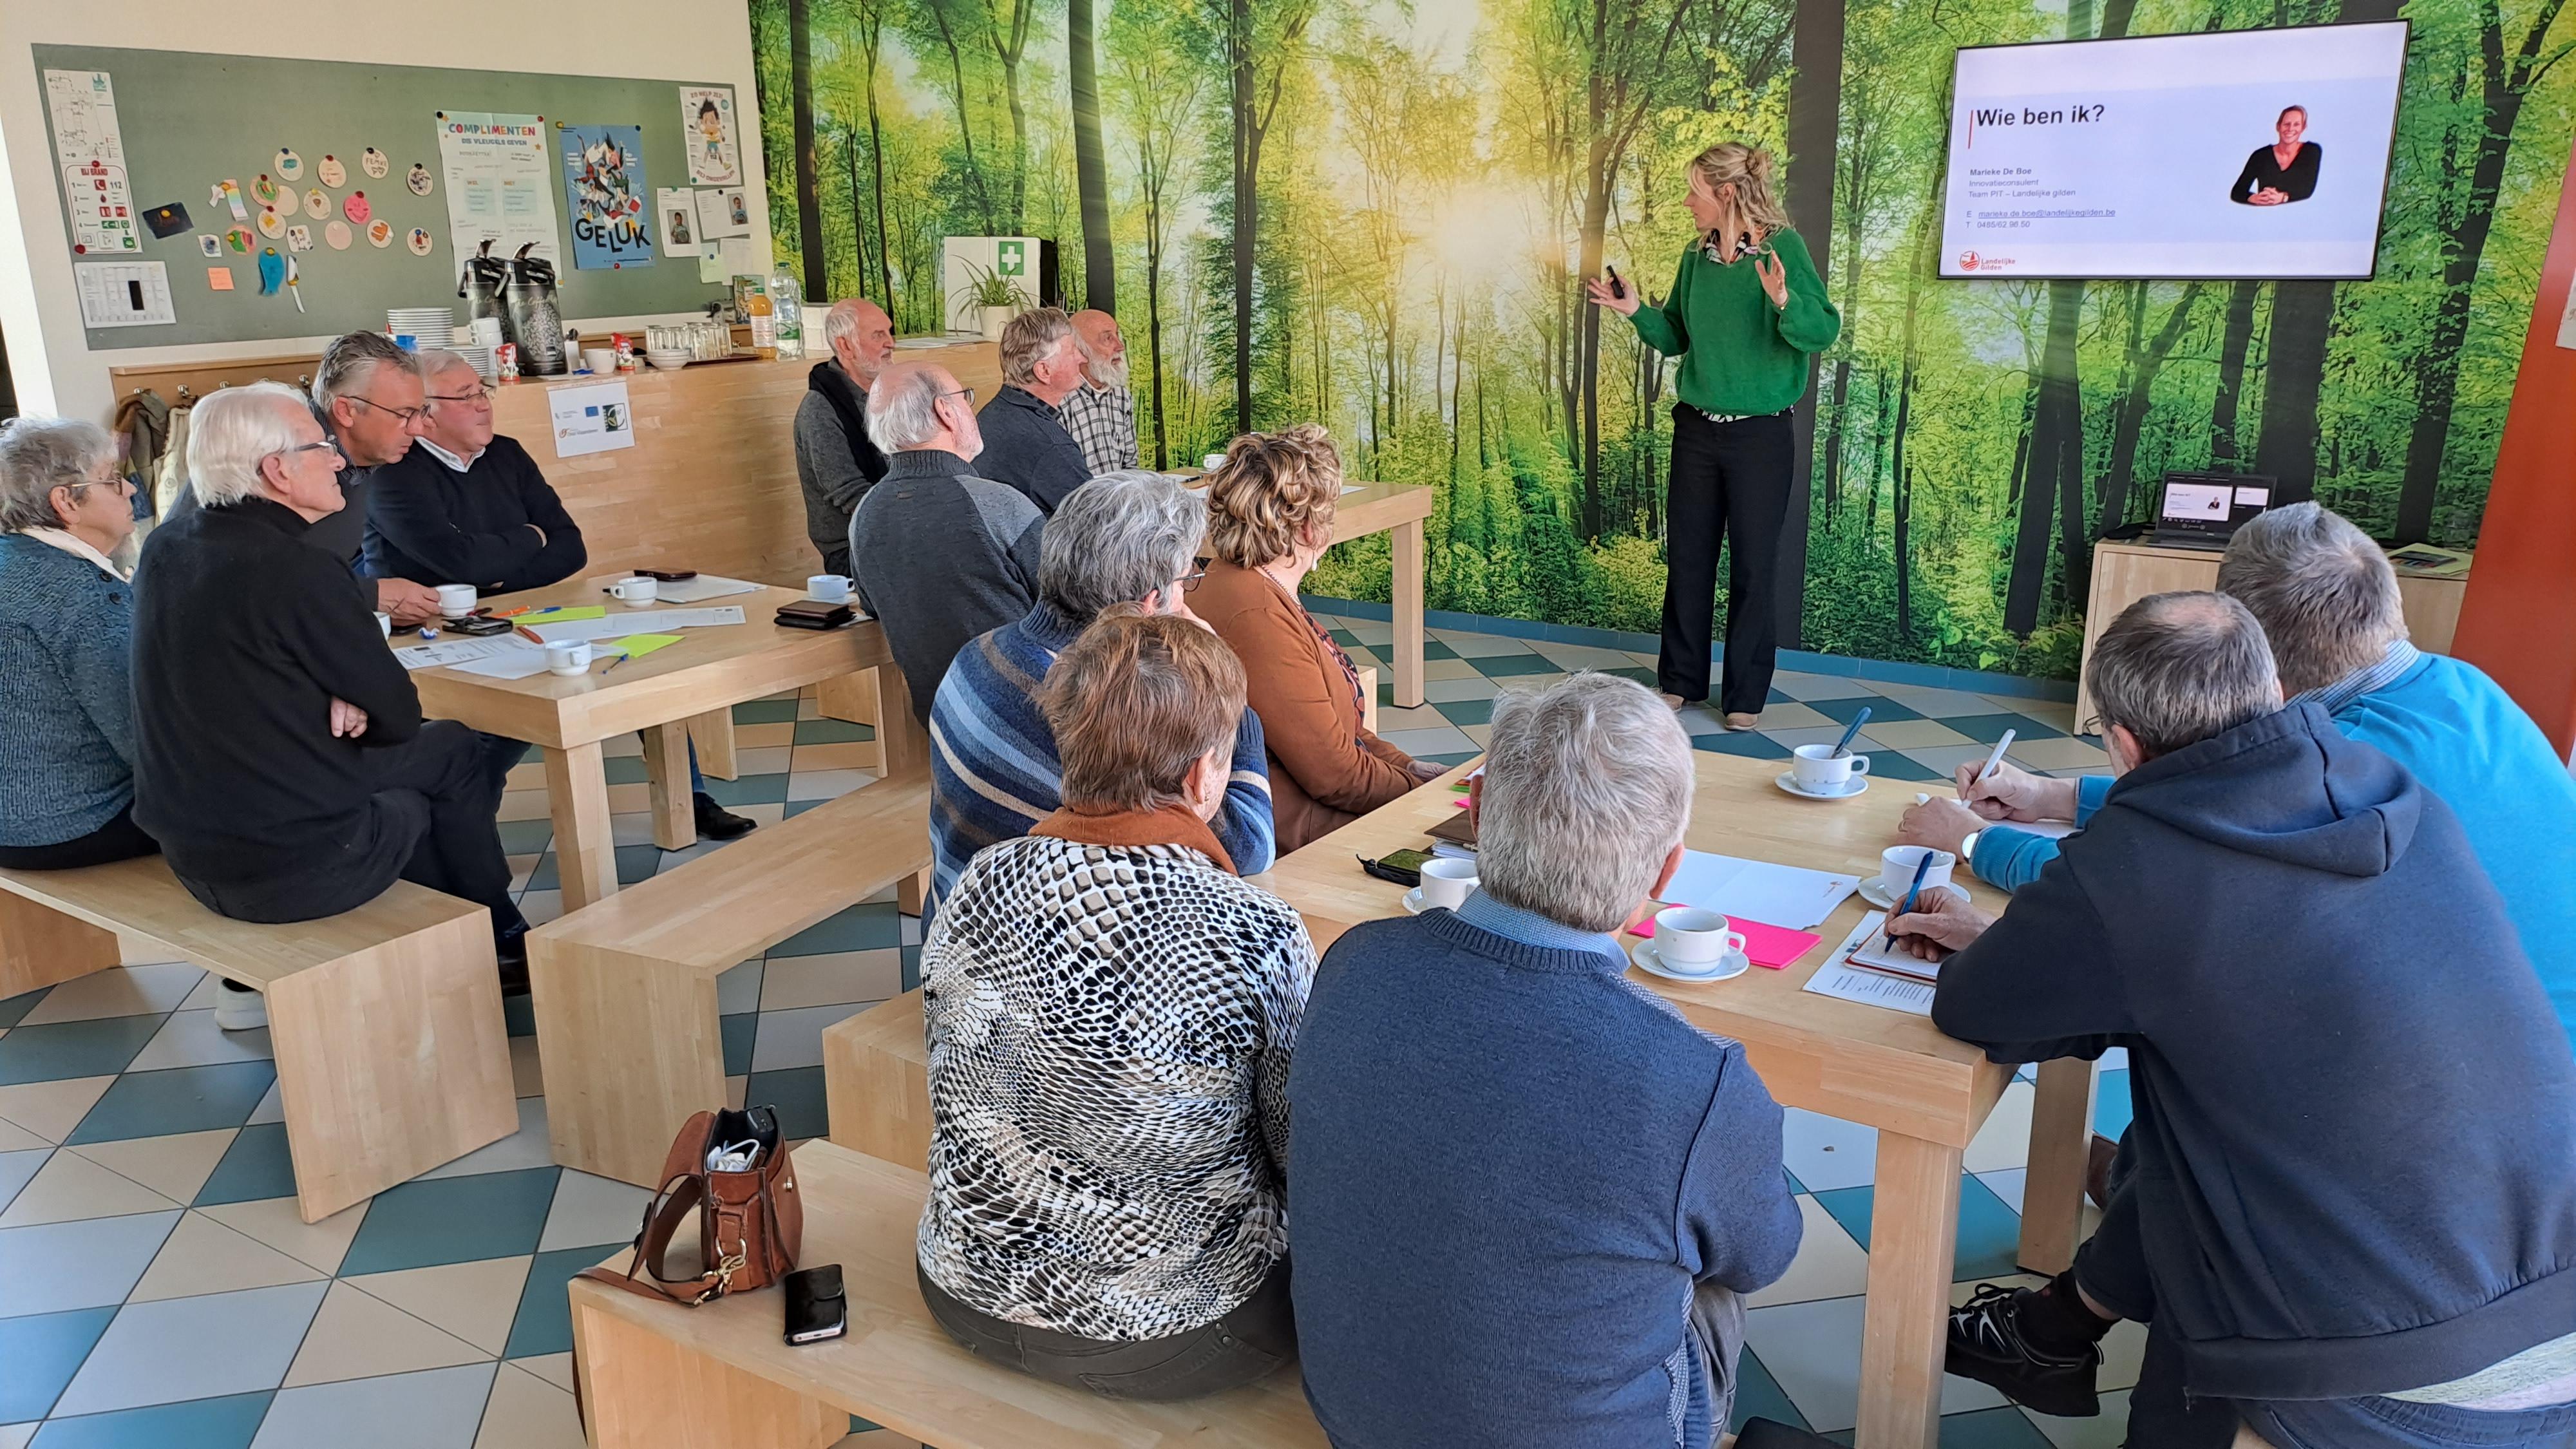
<point x="1923" y="1092"/>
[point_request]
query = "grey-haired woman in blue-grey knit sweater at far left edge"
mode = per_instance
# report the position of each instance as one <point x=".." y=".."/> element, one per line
<point x="66" y="641"/>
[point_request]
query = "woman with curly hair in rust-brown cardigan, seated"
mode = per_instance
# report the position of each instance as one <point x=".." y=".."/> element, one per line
<point x="1269" y="520"/>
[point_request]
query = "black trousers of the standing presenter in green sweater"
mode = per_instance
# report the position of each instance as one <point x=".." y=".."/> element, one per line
<point x="1730" y="483"/>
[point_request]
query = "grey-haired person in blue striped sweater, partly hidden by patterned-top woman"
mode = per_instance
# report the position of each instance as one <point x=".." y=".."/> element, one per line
<point x="1124" y="538"/>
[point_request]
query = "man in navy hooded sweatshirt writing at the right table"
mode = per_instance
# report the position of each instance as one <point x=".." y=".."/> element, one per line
<point x="2335" y="1231"/>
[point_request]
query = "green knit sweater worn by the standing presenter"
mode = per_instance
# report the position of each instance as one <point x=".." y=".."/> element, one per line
<point x="1740" y="355"/>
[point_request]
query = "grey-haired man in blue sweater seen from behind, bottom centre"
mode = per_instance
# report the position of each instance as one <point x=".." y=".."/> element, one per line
<point x="1524" y="1195"/>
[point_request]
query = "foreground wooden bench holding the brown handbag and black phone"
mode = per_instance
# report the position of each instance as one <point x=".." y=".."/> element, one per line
<point x="720" y="1376"/>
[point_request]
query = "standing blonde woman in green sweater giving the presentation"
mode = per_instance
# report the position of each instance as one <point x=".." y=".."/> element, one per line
<point x="1745" y="316"/>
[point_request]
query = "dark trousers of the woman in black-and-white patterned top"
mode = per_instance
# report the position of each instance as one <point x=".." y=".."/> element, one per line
<point x="1238" y="1350"/>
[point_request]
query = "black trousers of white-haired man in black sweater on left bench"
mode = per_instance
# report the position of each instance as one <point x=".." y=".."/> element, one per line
<point x="431" y="821"/>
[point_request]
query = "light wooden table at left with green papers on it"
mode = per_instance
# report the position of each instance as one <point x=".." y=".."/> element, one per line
<point x="663" y="695"/>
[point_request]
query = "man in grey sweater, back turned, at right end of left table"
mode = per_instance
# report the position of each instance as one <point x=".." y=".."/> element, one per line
<point x="939" y="553"/>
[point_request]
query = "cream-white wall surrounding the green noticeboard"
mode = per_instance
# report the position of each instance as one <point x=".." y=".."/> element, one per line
<point x="40" y="318"/>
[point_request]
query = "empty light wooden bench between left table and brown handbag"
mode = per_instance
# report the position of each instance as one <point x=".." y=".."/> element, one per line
<point x="627" y="986"/>
